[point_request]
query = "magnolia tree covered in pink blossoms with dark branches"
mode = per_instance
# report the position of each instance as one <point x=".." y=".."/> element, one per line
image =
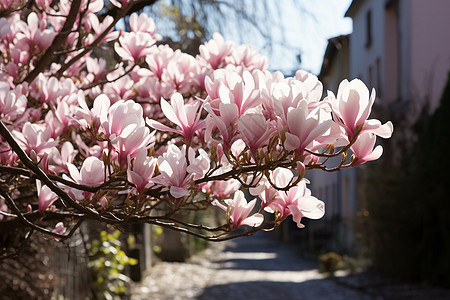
<point x="97" y="123"/>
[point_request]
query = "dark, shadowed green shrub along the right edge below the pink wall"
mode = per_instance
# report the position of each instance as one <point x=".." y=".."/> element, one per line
<point x="408" y="230"/>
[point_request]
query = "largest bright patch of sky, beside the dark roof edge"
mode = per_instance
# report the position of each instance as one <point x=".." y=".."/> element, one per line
<point x="307" y="31"/>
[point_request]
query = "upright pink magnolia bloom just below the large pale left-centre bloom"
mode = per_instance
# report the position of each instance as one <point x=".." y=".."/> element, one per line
<point x="141" y="172"/>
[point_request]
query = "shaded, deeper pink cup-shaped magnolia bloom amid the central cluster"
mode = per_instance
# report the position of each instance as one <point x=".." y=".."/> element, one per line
<point x="255" y="131"/>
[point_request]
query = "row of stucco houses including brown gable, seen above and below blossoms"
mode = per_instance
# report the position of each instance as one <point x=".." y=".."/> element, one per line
<point x="402" y="49"/>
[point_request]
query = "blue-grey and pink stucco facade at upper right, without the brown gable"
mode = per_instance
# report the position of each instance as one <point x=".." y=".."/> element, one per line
<point x="408" y="57"/>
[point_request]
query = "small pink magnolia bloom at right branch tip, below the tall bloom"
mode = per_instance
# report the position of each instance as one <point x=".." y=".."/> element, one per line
<point x="363" y="149"/>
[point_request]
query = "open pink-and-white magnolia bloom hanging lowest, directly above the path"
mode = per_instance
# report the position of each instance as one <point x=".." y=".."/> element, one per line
<point x="238" y="210"/>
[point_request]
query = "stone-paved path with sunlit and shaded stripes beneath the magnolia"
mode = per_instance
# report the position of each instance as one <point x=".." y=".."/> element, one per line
<point x="258" y="267"/>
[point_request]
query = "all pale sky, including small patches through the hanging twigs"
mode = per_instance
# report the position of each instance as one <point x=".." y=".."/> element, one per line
<point x="297" y="27"/>
